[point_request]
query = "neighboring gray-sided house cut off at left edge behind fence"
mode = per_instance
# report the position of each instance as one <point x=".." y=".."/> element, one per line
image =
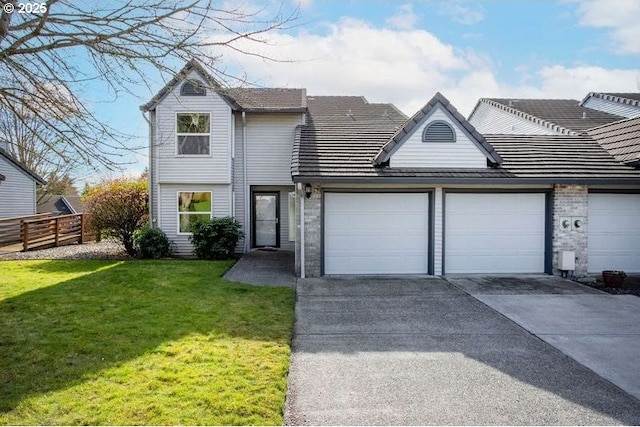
<point x="17" y="187"/>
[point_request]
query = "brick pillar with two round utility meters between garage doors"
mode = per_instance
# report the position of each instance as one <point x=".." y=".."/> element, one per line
<point x="570" y="203"/>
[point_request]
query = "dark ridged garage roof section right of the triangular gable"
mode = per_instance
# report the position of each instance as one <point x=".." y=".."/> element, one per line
<point x="558" y="156"/>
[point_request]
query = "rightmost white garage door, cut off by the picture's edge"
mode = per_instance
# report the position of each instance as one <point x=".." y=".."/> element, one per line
<point x="614" y="232"/>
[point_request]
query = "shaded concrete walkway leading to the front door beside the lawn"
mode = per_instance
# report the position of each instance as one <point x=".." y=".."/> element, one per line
<point x="264" y="267"/>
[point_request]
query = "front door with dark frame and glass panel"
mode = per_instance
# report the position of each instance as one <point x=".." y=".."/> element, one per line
<point x="266" y="219"/>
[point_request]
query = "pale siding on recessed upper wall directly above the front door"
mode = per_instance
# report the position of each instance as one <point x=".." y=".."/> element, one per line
<point x="269" y="145"/>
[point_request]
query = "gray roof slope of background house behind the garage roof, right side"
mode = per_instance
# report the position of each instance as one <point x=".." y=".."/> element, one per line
<point x="565" y="116"/>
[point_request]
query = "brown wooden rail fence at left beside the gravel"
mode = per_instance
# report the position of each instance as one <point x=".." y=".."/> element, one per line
<point x="45" y="230"/>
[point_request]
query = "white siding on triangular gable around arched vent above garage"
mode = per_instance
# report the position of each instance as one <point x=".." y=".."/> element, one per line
<point x="414" y="153"/>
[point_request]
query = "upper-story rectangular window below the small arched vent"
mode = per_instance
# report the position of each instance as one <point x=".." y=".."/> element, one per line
<point x="193" y="132"/>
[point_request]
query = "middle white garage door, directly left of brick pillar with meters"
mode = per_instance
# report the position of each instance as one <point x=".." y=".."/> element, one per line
<point x="494" y="233"/>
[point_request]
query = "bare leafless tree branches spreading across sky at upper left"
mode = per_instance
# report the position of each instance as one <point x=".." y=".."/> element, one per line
<point x="51" y="51"/>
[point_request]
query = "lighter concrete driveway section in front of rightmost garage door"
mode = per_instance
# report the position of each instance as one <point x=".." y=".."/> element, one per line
<point x="599" y="330"/>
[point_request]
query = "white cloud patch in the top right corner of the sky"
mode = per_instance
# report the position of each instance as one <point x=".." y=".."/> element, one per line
<point x="622" y="17"/>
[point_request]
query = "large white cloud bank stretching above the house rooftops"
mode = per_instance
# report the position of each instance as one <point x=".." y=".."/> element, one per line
<point x="407" y="67"/>
